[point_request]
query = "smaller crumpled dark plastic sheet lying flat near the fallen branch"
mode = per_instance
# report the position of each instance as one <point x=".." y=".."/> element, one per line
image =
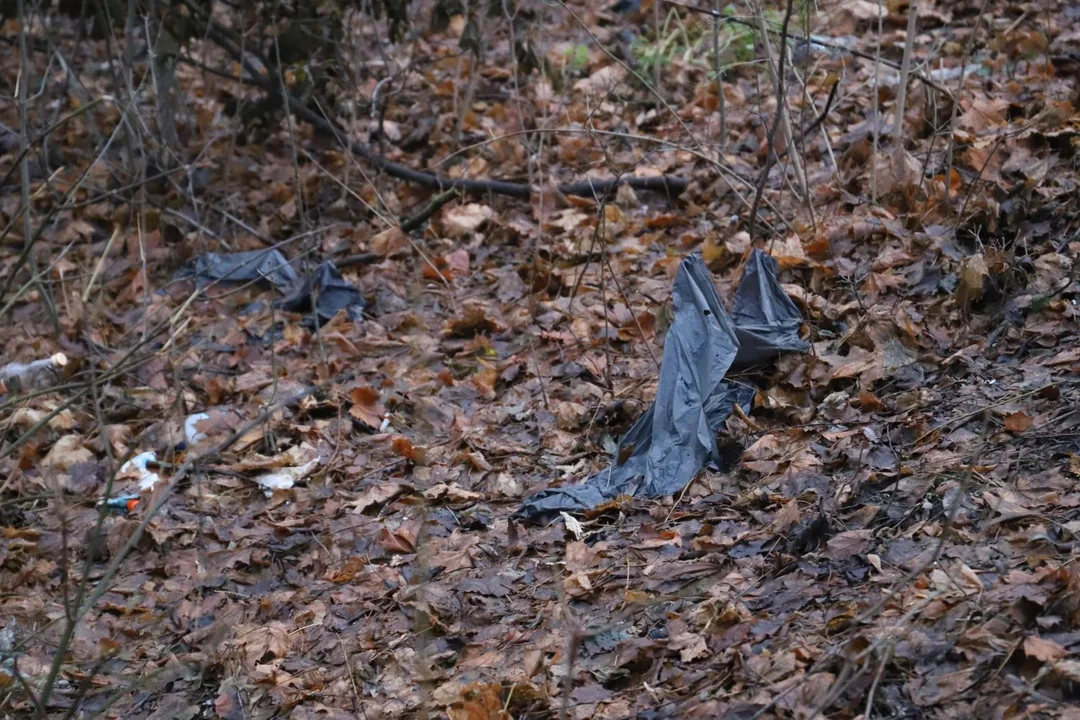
<point x="331" y="291"/>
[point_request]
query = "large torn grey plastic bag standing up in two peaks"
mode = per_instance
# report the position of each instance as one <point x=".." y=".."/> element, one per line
<point x="677" y="437"/>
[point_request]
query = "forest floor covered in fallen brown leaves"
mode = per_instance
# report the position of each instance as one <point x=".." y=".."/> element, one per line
<point x="897" y="539"/>
